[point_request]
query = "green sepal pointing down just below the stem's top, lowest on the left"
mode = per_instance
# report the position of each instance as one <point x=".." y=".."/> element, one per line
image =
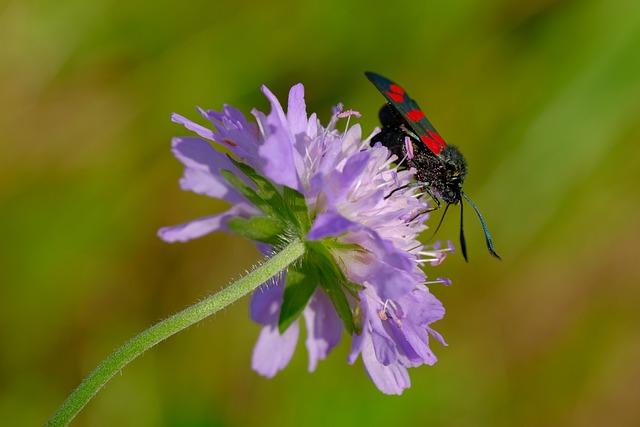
<point x="299" y="286"/>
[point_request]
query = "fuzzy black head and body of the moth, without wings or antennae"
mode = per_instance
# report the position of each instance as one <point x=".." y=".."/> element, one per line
<point x="442" y="176"/>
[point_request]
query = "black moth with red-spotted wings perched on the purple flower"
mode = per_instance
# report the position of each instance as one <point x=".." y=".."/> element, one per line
<point x="440" y="168"/>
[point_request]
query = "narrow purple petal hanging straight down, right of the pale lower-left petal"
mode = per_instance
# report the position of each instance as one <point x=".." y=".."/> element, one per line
<point x="324" y="328"/>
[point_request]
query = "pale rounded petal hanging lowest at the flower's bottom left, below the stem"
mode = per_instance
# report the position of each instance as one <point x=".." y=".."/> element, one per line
<point x="273" y="351"/>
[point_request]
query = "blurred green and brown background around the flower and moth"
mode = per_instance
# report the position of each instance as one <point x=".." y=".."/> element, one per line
<point x="543" y="97"/>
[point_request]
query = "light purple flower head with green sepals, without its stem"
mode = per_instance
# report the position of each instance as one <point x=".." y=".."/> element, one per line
<point x="359" y="216"/>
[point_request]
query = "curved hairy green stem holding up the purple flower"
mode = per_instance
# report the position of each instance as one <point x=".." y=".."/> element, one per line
<point x="168" y="327"/>
